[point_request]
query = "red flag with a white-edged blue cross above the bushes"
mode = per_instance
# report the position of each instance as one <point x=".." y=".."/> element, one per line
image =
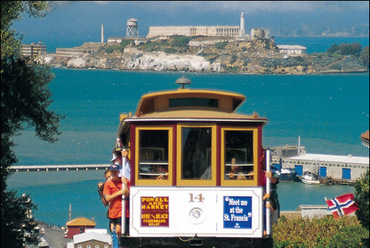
<point x="342" y="205"/>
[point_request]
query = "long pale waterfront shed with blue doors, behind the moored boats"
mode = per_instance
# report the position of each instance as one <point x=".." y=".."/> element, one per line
<point x="338" y="167"/>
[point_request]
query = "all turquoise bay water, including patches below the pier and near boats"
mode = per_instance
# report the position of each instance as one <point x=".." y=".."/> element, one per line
<point x="328" y="112"/>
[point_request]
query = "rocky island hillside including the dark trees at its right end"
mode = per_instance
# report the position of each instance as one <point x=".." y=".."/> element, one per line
<point x="212" y="54"/>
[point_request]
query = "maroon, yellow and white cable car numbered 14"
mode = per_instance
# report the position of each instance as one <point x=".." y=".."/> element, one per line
<point x="196" y="171"/>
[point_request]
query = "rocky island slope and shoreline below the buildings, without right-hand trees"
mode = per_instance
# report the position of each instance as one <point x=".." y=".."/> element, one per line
<point x="247" y="57"/>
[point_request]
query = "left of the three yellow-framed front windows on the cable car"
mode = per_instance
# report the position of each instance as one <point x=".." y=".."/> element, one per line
<point x="153" y="154"/>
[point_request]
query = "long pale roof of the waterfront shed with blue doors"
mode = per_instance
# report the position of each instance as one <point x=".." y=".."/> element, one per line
<point x="332" y="158"/>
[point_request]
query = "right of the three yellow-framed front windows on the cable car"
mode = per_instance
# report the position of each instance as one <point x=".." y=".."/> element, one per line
<point x="239" y="155"/>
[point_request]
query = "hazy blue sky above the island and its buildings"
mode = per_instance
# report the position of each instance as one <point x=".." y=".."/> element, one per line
<point x="71" y="23"/>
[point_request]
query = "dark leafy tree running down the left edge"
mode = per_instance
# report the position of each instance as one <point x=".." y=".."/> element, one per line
<point x="25" y="99"/>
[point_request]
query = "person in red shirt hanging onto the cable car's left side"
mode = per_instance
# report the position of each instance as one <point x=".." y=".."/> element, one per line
<point x="113" y="192"/>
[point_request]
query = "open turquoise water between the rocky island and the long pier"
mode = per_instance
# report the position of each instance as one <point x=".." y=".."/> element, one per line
<point x="328" y="112"/>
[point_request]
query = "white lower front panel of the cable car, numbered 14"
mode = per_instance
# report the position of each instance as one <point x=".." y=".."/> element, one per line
<point x="189" y="211"/>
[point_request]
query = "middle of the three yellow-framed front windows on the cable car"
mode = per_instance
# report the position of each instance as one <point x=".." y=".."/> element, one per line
<point x="196" y="153"/>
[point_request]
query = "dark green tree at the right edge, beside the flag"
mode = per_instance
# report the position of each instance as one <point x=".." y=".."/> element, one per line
<point x="362" y="199"/>
